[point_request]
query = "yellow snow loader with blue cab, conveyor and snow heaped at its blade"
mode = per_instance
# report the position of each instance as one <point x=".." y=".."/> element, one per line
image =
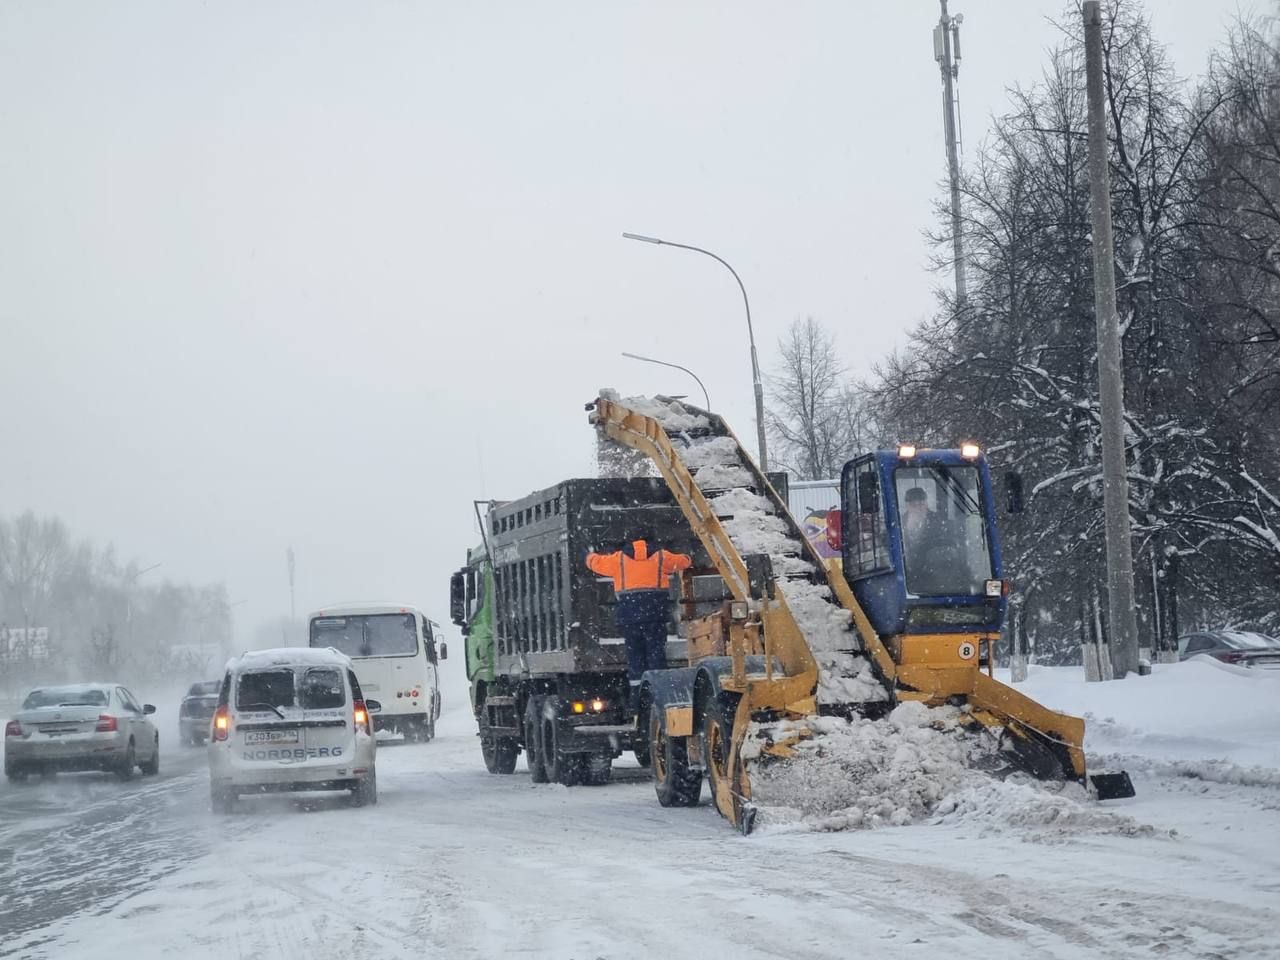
<point x="821" y="688"/>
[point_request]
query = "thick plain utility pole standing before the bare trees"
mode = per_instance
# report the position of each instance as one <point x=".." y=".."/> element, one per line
<point x="1116" y="482"/>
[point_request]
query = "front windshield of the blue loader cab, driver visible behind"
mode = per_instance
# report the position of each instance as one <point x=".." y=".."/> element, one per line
<point x="944" y="531"/>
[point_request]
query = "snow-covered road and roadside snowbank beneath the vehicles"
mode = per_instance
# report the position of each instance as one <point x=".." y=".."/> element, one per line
<point x="456" y="863"/>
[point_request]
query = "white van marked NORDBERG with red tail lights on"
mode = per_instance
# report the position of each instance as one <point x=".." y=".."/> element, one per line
<point x="291" y="719"/>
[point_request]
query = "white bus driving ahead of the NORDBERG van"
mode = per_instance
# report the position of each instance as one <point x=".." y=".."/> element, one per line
<point x="396" y="652"/>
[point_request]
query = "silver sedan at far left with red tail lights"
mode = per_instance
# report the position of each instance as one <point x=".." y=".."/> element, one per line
<point x="81" y="728"/>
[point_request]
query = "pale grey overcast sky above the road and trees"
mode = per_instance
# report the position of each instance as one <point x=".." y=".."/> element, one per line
<point x="322" y="273"/>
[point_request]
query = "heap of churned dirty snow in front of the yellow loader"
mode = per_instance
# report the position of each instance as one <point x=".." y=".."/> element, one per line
<point x="856" y="774"/>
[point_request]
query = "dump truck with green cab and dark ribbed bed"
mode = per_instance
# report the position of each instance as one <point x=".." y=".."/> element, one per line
<point x="546" y="662"/>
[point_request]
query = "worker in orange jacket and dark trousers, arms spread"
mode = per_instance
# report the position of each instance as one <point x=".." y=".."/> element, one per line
<point x="644" y="605"/>
